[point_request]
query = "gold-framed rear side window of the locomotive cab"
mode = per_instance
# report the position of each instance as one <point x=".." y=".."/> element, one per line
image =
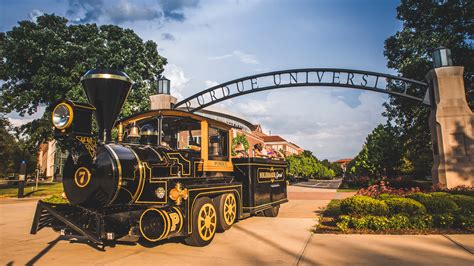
<point x="218" y="144"/>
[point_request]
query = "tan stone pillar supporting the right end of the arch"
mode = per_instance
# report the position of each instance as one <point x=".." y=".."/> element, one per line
<point x="452" y="128"/>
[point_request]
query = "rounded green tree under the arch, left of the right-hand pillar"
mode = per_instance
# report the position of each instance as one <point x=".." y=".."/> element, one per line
<point x="381" y="155"/>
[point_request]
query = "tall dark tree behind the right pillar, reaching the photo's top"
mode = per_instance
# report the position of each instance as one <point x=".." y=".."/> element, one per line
<point x="427" y="25"/>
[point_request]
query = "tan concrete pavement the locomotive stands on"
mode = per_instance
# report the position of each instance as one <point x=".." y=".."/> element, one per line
<point x="286" y="240"/>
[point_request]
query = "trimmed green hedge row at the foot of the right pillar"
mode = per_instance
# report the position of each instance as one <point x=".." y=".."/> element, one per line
<point x="415" y="211"/>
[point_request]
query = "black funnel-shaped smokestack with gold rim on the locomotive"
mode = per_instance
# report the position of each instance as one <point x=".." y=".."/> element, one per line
<point x="107" y="90"/>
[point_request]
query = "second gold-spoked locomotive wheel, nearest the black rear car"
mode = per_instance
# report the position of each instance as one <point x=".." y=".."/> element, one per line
<point x="226" y="206"/>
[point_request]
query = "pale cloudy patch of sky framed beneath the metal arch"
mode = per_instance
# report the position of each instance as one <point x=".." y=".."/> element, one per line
<point x="315" y="120"/>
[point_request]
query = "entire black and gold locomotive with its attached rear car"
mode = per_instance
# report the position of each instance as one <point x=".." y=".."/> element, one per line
<point x="154" y="175"/>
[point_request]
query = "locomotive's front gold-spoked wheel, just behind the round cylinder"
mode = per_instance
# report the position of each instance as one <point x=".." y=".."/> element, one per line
<point x="204" y="223"/>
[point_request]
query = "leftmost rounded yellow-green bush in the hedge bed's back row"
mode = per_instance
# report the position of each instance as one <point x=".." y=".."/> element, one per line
<point x="363" y="205"/>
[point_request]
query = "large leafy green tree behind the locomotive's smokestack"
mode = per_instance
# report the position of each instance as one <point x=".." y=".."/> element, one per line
<point x="43" y="62"/>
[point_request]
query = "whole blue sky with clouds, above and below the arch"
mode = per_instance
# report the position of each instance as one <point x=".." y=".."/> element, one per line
<point x="210" y="42"/>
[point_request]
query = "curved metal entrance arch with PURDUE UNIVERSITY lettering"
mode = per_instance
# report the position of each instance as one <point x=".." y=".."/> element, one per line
<point x="309" y="77"/>
